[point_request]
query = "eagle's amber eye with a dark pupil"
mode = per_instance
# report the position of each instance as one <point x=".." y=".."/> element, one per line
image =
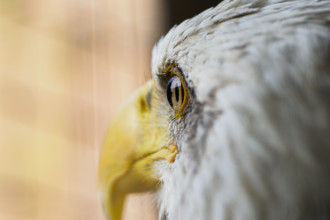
<point x="176" y="94"/>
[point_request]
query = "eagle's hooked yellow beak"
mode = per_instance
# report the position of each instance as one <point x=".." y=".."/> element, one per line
<point x="126" y="161"/>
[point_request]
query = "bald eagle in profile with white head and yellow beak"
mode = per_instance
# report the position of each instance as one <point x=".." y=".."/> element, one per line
<point x="235" y="124"/>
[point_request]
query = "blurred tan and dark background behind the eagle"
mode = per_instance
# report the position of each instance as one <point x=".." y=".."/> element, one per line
<point x="65" y="69"/>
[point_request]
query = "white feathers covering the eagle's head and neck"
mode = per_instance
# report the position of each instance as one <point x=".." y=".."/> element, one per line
<point x="265" y="66"/>
